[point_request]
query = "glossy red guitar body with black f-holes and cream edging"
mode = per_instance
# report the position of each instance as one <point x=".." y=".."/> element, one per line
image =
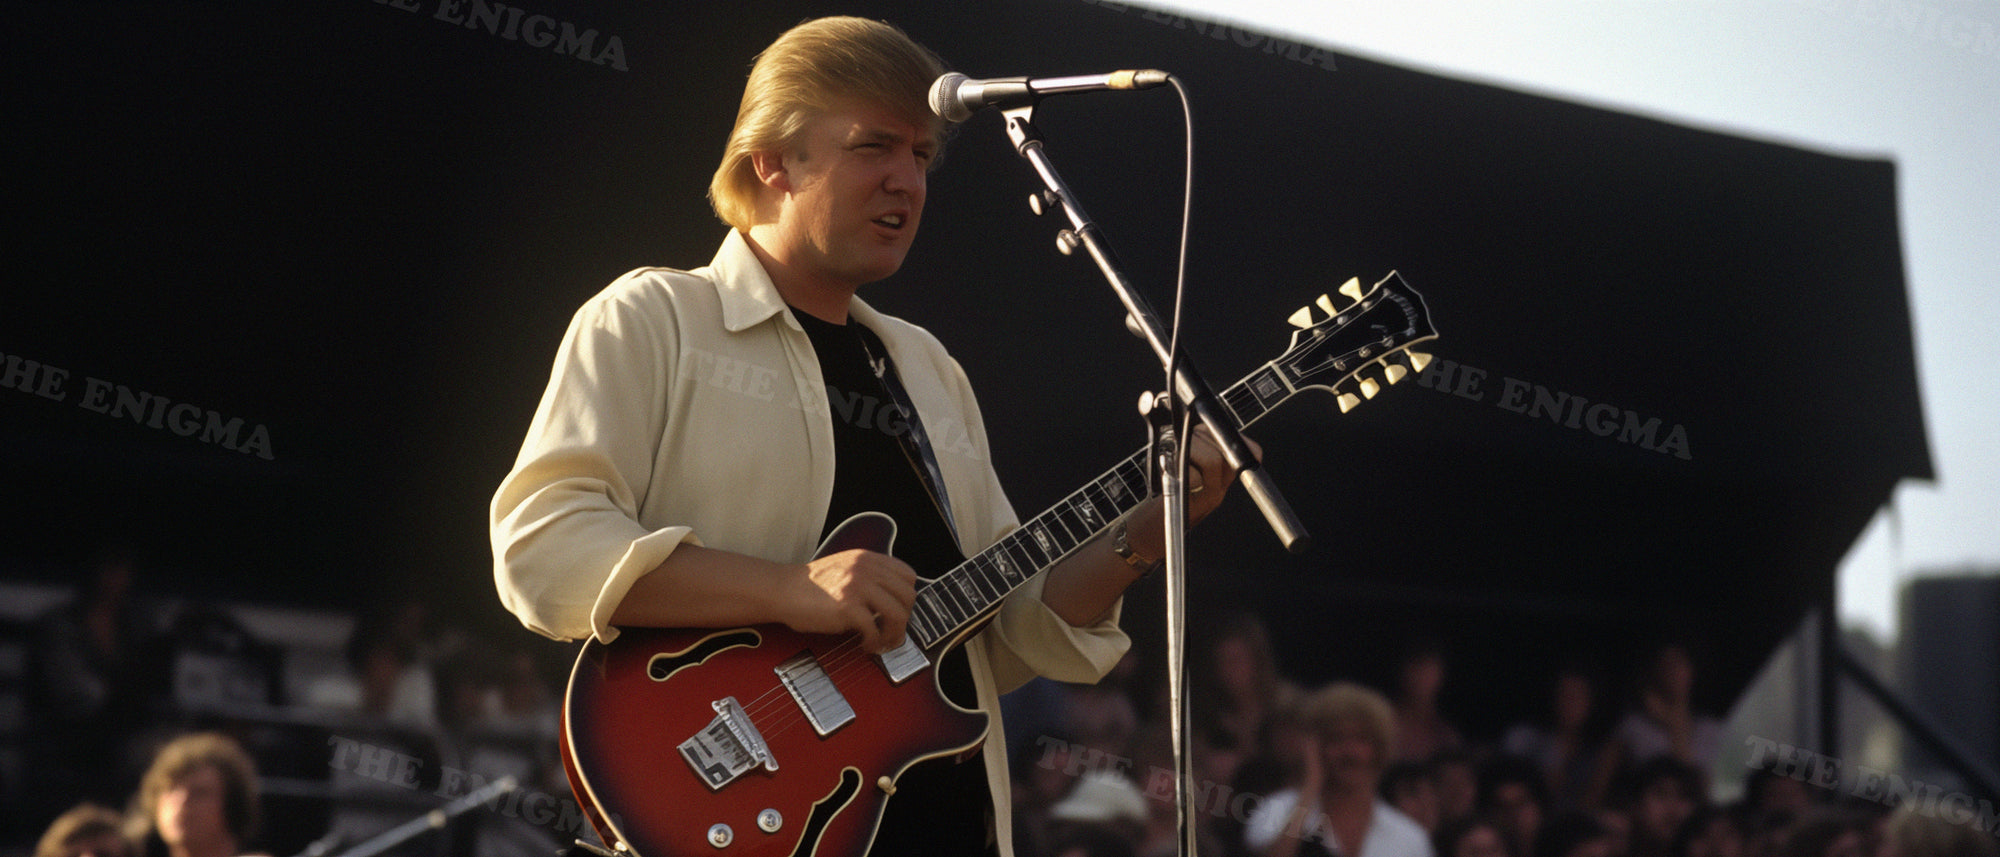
<point x="637" y="700"/>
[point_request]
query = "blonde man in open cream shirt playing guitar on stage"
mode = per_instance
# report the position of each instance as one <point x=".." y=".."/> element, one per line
<point x="705" y="430"/>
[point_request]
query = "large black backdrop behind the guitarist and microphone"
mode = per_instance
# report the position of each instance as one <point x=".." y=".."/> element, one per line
<point x="363" y="227"/>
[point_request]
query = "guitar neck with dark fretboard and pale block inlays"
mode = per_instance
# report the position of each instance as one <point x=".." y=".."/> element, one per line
<point x="977" y="586"/>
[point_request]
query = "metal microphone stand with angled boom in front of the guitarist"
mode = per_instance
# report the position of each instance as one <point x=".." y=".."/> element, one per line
<point x="1187" y="393"/>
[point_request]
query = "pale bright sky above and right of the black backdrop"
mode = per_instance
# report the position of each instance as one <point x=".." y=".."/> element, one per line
<point x="1909" y="81"/>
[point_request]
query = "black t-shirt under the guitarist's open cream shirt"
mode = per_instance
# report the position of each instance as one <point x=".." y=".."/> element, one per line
<point x="941" y="808"/>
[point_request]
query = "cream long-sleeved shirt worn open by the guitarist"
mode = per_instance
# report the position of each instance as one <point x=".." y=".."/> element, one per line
<point x="689" y="407"/>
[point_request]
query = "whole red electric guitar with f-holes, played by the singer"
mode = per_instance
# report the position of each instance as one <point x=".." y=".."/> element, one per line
<point x="769" y="742"/>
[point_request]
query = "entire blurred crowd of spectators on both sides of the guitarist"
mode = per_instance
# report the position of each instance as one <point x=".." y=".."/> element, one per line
<point x="1281" y="770"/>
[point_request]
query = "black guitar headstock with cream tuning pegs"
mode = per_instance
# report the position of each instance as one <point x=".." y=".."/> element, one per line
<point x="1361" y="343"/>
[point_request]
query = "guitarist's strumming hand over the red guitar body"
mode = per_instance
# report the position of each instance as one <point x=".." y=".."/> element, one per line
<point x="861" y="592"/>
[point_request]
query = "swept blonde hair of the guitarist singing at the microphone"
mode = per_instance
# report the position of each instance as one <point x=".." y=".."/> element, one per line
<point x="803" y="75"/>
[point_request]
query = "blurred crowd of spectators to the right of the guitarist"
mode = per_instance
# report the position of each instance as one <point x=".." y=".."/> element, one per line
<point x="1613" y="768"/>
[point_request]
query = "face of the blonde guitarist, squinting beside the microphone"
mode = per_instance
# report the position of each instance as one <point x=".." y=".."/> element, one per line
<point x="855" y="193"/>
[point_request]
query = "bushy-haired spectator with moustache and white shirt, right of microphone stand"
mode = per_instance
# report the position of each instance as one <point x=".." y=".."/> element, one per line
<point x="1335" y="808"/>
